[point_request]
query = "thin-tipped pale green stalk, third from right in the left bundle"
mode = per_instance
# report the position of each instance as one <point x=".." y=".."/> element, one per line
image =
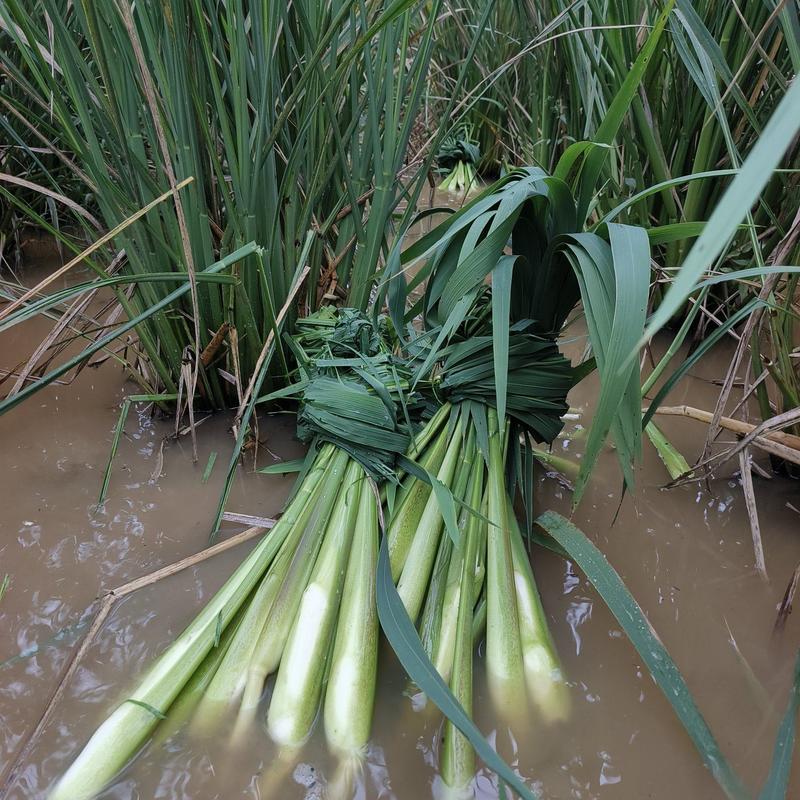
<point x="272" y="640"/>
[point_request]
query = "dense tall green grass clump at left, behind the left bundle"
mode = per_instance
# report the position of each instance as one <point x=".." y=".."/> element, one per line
<point x="289" y="118"/>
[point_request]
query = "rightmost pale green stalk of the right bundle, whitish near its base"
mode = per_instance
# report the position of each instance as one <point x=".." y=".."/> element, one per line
<point x="547" y="689"/>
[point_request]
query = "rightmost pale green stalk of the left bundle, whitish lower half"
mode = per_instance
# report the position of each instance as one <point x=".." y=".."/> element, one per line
<point x="350" y="693"/>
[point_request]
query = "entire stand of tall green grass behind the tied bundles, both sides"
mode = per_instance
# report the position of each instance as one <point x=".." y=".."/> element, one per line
<point x="299" y="119"/>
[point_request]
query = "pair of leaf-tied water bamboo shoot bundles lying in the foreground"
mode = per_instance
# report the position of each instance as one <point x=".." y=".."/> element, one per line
<point x="425" y="420"/>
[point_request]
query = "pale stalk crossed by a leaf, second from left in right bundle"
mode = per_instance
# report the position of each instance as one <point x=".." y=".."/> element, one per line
<point x="417" y="568"/>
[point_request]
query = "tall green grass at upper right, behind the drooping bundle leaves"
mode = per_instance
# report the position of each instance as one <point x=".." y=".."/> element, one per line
<point x="545" y="75"/>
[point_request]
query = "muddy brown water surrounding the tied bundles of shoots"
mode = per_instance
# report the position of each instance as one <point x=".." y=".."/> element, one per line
<point x="685" y="554"/>
